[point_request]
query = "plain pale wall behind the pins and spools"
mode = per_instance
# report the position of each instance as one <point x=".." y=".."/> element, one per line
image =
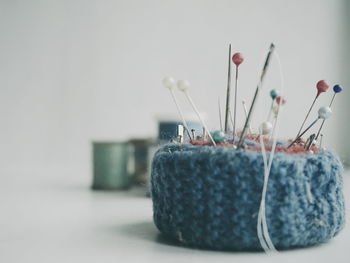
<point x="75" y="71"/>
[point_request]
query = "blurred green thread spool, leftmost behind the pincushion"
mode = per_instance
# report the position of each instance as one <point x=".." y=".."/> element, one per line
<point x="110" y="165"/>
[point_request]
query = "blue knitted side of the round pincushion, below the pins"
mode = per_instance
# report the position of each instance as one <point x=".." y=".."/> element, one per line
<point x="209" y="197"/>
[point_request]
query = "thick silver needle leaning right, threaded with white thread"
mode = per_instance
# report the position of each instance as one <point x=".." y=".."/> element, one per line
<point x="246" y="125"/>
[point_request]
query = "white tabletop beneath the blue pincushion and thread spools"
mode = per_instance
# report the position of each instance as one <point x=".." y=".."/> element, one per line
<point x="57" y="218"/>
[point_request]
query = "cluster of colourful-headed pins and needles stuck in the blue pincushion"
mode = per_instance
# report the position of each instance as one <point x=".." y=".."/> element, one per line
<point x="266" y="129"/>
